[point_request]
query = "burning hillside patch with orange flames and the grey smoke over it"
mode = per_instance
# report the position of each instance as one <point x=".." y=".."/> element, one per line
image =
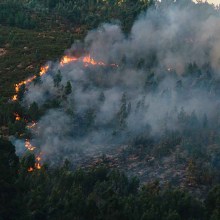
<point x="155" y="90"/>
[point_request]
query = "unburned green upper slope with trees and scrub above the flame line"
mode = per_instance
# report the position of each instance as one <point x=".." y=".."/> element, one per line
<point x="48" y="23"/>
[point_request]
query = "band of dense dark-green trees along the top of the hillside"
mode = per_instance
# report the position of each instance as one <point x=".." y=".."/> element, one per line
<point x="79" y="13"/>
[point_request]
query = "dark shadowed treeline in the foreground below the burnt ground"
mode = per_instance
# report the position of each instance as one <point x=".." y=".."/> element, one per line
<point x="97" y="192"/>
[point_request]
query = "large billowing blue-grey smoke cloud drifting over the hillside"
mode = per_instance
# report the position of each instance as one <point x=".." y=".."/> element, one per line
<point x="167" y="66"/>
